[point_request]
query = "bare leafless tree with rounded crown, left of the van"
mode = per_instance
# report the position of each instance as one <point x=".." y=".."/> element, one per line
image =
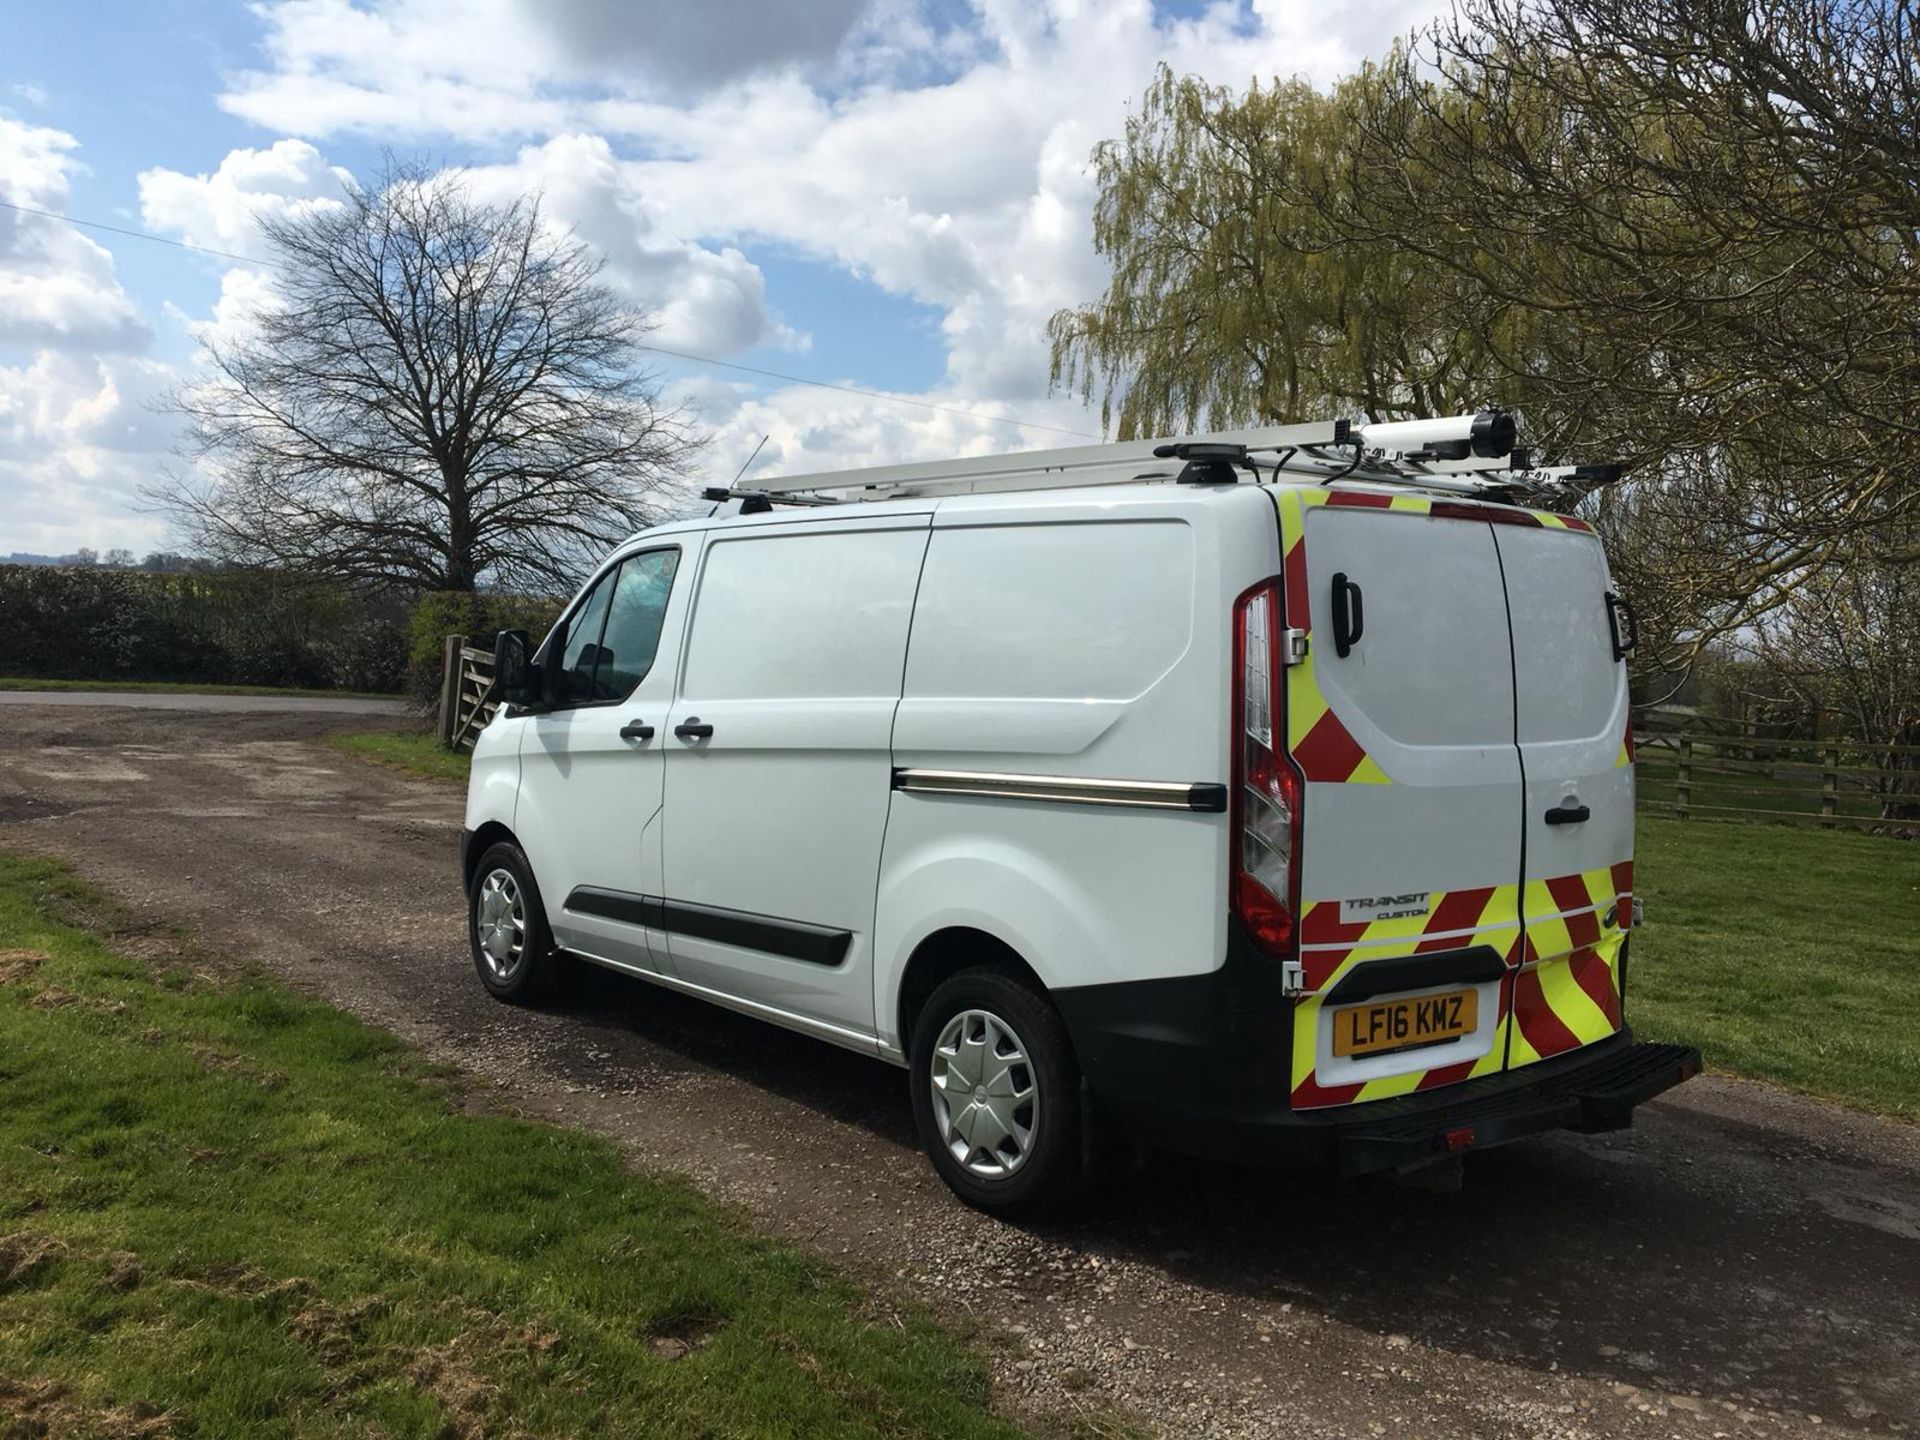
<point x="443" y="393"/>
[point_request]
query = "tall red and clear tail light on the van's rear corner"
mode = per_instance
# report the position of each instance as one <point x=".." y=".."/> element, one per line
<point x="1266" y="790"/>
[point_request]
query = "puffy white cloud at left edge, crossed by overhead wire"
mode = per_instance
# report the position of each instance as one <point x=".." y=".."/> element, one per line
<point x="57" y="283"/>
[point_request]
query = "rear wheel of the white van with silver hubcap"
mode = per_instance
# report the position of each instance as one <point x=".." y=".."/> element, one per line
<point x="997" y="1095"/>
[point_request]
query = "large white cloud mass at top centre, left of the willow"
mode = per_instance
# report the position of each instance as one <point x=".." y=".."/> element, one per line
<point x="949" y="164"/>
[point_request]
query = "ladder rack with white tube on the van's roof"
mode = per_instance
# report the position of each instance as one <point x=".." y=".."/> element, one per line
<point x="1462" y="454"/>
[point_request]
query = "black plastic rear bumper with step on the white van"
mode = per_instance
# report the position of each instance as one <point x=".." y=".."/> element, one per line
<point x="1201" y="1067"/>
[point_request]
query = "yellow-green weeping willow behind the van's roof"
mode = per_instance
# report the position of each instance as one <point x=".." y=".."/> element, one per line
<point x="1237" y="291"/>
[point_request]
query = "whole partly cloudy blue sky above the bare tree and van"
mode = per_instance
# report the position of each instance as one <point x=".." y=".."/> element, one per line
<point x="890" y="195"/>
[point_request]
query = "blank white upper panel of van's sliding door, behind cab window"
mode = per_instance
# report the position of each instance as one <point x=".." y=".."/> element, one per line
<point x="804" y="617"/>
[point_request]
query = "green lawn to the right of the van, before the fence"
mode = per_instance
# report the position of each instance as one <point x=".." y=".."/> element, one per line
<point x="1787" y="955"/>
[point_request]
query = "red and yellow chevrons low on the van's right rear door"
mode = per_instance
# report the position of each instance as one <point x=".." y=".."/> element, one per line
<point x="1568" y="992"/>
